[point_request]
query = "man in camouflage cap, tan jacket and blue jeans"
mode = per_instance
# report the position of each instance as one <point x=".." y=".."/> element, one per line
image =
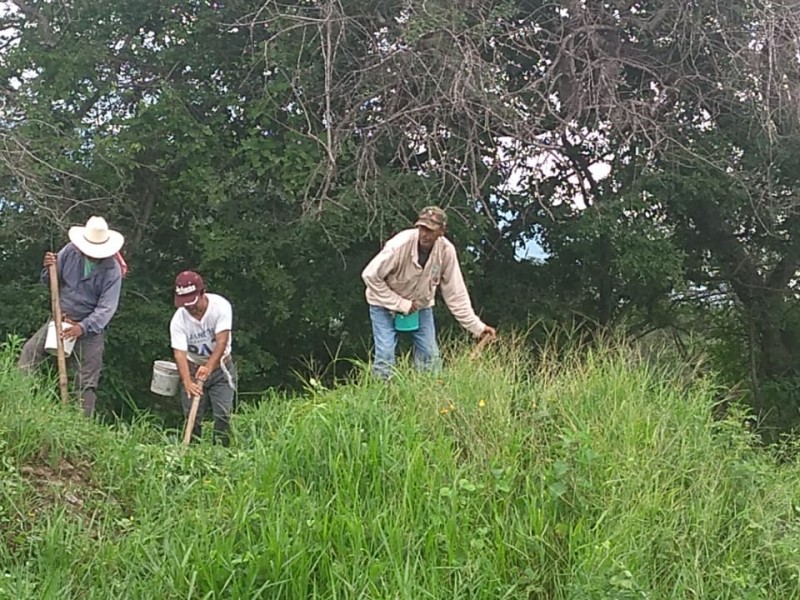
<point x="403" y="279"/>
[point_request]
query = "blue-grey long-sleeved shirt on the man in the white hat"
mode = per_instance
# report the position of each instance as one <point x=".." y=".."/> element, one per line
<point x="92" y="299"/>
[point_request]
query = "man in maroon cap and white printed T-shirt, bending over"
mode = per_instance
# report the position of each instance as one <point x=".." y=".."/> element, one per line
<point x="200" y="334"/>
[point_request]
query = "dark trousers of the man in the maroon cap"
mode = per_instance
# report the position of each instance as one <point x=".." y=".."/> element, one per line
<point x="218" y="390"/>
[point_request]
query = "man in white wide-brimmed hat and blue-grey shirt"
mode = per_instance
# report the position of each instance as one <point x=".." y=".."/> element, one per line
<point x="90" y="280"/>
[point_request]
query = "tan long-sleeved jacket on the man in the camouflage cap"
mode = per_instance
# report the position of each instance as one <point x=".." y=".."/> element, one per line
<point x="394" y="278"/>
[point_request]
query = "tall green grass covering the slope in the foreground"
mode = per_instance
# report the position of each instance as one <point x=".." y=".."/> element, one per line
<point x="604" y="477"/>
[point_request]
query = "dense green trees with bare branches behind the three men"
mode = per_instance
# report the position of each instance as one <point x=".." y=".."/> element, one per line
<point x="650" y="148"/>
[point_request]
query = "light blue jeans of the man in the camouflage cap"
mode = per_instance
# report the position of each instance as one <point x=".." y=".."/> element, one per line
<point x="384" y="335"/>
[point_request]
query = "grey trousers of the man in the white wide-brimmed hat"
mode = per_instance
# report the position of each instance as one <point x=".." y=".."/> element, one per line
<point x="86" y="360"/>
